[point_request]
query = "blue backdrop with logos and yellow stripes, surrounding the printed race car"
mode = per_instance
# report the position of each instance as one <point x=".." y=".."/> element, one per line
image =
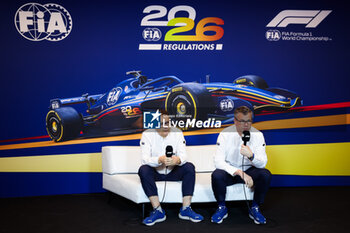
<point x="62" y="49"/>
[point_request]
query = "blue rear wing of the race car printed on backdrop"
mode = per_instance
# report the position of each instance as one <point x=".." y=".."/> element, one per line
<point x="88" y="99"/>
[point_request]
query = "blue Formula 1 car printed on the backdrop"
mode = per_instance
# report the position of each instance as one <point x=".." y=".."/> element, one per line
<point x="119" y="111"/>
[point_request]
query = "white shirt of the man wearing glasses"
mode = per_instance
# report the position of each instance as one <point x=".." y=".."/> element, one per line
<point x="228" y="156"/>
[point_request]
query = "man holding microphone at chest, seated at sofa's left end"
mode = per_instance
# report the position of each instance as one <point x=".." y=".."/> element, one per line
<point x="157" y="167"/>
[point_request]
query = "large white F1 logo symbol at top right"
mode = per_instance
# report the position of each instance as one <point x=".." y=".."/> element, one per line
<point x="311" y="18"/>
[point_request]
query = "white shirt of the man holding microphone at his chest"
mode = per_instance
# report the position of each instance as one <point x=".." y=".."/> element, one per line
<point x="153" y="146"/>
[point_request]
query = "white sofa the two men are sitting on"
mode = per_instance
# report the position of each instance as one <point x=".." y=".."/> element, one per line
<point x="120" y="165"/>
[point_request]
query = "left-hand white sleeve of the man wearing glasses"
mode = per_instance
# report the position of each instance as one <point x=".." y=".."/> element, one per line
<point x="220" y="156"/>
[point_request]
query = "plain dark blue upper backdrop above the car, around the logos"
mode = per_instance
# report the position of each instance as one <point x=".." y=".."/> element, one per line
<point x="104" y="43"/>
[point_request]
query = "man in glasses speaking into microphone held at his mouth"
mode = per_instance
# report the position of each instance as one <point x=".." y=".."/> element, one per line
<point x="239" y="163"/>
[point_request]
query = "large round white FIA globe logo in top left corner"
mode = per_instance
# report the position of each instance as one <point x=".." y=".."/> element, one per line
<point x="37" y="22"/>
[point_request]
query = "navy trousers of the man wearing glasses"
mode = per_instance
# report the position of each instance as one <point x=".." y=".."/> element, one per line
<point x="261" y="178"/>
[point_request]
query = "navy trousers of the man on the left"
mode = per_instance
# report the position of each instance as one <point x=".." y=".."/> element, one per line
<point x="184" y="173"/>
